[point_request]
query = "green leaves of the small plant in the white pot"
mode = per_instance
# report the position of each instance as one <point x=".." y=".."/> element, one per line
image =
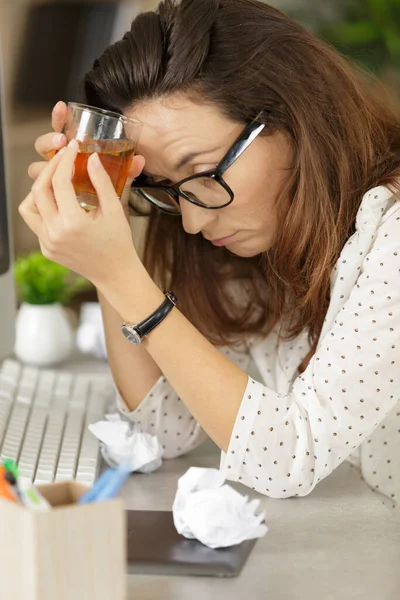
<point x="41" y="281"/>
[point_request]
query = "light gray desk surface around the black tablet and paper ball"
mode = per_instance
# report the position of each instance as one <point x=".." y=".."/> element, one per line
<point x="338" y="543"/>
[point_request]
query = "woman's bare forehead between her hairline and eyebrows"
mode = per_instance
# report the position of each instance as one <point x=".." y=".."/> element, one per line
<point x="168" y="122"/>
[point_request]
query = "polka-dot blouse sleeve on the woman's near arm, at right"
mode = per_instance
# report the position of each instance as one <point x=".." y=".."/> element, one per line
<point x="283" y="445"/>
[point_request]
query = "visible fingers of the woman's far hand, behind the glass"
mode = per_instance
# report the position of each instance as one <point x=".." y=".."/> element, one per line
<point x="48" y="144"/>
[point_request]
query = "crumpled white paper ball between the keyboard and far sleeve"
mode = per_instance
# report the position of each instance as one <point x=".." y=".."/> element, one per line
<point x="121" y="439"/>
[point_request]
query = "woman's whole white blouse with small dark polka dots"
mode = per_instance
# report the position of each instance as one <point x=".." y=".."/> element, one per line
<point x="292" y="429"/>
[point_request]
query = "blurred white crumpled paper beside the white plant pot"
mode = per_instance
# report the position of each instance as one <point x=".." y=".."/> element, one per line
<point x="90" y="336"/>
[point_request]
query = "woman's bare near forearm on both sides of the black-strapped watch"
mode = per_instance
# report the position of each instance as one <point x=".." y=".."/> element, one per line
<point x="210" y="384"/>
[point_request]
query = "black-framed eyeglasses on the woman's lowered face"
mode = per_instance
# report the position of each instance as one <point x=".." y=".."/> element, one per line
<point x="207" y="189"/>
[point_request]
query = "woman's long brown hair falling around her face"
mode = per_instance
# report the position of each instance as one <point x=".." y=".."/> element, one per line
<point x="246" y="56"/>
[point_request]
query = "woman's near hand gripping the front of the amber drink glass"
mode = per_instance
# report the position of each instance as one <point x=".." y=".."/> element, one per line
<point x="96" y="244"/>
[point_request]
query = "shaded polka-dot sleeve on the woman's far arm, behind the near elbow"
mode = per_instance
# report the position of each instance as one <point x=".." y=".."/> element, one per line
<point x="162" y="413"/>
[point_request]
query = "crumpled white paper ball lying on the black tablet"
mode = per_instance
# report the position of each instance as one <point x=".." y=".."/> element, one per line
<point x="215" y="514"/>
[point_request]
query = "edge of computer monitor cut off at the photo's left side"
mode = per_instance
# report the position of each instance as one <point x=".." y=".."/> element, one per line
<point x="7" y="294"/>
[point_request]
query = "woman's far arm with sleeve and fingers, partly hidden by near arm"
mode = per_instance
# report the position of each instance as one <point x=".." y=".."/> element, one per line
<point x="135" y="373"/>
